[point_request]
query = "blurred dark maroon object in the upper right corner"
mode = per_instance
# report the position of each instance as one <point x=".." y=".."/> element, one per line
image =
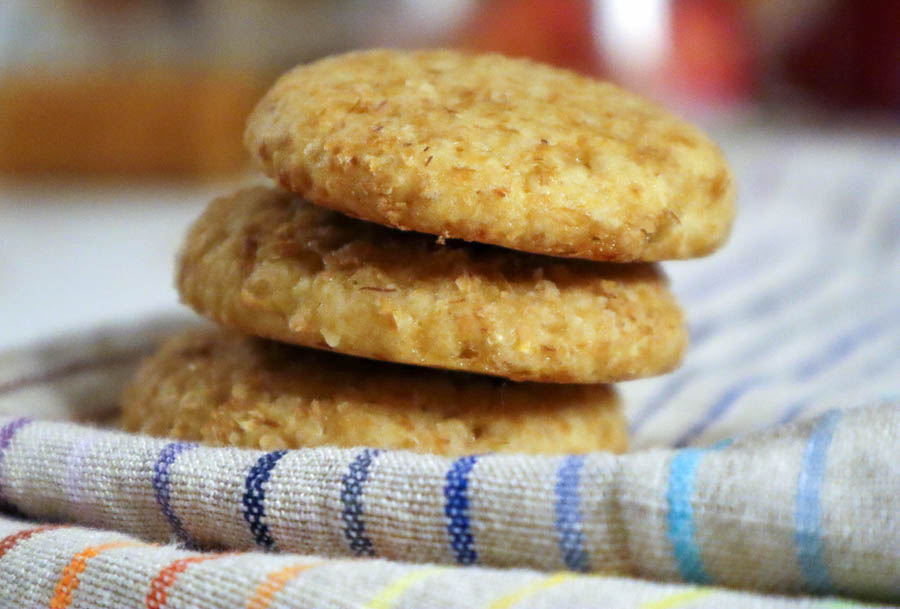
<point x="851" y="56"/>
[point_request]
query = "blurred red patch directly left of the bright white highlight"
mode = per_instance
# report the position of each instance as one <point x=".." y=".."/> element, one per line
<point x="557" y="32"/>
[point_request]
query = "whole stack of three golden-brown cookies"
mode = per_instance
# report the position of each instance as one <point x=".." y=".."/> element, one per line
<point x="459" y="258"/>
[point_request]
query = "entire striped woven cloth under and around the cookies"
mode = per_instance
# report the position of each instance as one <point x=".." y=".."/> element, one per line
<point x="795" y="354"/>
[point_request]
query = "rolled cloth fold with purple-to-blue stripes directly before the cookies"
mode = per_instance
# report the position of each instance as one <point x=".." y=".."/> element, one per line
<point x="807" y="507"/>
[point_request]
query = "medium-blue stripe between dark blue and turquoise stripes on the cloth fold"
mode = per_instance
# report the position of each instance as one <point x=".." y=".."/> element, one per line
<point x="568" y="514"/>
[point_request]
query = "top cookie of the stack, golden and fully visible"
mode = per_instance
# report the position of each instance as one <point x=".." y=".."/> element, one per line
<point x="497" y="150"/>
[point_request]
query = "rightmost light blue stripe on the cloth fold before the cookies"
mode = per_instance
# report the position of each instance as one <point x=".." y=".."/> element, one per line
<point x="810" y="546"/>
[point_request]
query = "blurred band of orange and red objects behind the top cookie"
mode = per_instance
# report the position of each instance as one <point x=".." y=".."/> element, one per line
<point x="162" y="87"/>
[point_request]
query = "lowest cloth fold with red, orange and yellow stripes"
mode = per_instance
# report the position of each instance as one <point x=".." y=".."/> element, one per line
<point x="68" y="567"/>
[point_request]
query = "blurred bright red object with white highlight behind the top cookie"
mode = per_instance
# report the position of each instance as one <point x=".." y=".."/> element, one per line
<point x="696" y="51"/>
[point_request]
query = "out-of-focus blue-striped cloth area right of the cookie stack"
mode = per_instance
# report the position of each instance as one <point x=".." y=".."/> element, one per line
<point x="800" y="312"/>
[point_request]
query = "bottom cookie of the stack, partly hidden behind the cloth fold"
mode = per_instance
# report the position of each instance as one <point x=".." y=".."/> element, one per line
<point x="220" y="388"/>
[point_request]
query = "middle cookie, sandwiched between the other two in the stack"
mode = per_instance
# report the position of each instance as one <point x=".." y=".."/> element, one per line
<point x="268" y="263"/>
